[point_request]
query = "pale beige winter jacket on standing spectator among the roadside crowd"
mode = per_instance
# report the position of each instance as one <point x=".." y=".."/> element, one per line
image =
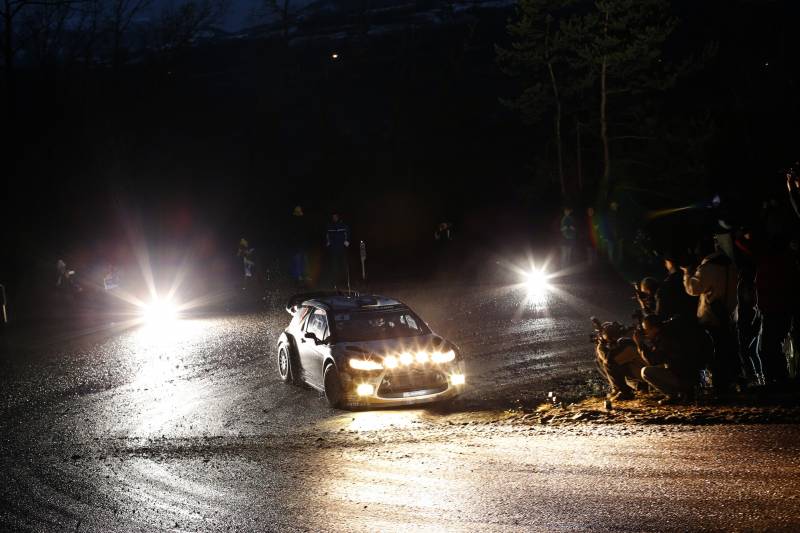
<point x="714" y="280"/>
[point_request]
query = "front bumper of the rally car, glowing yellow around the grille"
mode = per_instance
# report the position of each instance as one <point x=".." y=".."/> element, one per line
<point x="416" y="384"/>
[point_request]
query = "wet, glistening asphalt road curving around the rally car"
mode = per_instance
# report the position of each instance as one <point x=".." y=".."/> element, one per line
<point x="188" y="428"/>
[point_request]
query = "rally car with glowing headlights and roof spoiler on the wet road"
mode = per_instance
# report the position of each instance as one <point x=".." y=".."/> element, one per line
<point x="366" y="351"/>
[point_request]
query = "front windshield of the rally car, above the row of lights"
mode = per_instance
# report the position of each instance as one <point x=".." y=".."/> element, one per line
<point x="377" y="325"/>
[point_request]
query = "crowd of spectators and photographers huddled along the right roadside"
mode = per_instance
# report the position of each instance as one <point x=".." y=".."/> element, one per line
<point x="725" y="319"/>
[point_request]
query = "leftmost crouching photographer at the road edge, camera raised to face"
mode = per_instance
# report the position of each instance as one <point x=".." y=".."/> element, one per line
<point x="618" y="359"/>
